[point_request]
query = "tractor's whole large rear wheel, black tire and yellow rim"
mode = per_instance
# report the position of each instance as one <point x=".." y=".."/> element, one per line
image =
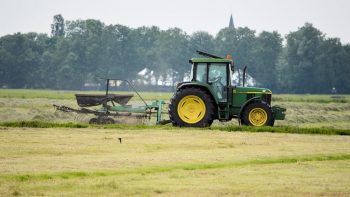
<point x="191" y="107"/>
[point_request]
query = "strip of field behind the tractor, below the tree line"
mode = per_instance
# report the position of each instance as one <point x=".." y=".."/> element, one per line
<point x="307" y="111"/>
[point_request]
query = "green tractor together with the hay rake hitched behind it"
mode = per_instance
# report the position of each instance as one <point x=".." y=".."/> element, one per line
<point x="209" y="95"/>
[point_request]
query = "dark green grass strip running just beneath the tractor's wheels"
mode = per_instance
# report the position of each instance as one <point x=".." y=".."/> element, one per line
<point x="228" y="128"/>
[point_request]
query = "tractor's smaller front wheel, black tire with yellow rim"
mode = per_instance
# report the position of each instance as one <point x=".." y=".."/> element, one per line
<point x="259" y="106"/>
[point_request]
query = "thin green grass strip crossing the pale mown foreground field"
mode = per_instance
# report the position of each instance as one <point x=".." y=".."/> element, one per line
<point x="189" y="166"/>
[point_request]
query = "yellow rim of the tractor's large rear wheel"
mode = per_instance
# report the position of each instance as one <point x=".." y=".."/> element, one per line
<point x="191" y="109"/>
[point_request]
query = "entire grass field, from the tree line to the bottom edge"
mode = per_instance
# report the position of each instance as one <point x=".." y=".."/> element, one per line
<point x="224" y="160"/>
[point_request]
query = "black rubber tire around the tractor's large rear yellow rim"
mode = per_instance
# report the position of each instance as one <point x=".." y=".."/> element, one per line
<point x="208" y="117"/>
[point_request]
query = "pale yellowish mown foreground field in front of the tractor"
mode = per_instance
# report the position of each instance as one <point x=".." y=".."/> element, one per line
<point x="185" y="162"/>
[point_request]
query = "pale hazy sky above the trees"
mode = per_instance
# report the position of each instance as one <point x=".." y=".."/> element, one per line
<point x="332" y="17"/>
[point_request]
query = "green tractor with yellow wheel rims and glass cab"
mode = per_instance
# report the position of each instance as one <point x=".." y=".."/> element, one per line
<point x="210" y="95"/>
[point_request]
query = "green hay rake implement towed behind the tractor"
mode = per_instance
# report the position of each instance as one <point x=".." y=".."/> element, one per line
<point x="114" y="106"/>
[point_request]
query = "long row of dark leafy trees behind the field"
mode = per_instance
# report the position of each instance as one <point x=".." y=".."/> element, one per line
<point x="305" y="61"/>
